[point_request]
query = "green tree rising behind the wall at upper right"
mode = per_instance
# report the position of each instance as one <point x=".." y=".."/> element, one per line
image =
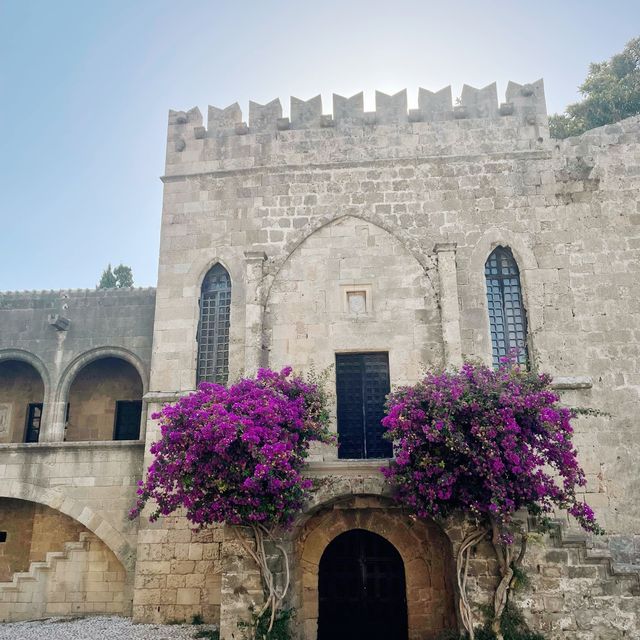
<point x="611" y="93"/>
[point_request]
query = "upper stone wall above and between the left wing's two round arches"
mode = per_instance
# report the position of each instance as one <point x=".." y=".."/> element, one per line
<point x="60" y="332"/>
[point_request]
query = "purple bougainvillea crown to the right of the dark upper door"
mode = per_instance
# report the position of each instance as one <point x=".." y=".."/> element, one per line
<point x="488" y="442"/>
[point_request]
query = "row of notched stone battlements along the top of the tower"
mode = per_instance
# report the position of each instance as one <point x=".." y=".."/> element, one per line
<point x="526" y="102"/>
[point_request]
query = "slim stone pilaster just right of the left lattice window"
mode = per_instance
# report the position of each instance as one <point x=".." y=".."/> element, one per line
<point x="254" y="261"/>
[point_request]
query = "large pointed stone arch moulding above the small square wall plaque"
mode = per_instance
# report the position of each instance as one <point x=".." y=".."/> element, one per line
<point x="315" y="224"/>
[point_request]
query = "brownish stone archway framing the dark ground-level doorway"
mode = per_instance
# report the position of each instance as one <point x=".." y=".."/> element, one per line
<point x="424" y="548"/>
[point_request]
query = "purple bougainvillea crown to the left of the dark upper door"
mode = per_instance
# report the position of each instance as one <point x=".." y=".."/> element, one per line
<point x="235" y="454"/>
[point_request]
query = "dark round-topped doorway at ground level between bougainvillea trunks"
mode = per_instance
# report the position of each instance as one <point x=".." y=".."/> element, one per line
<point x="362" y="589"/>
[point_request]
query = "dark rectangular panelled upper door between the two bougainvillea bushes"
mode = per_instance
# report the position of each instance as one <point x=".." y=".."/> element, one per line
<point x="362" y="383"/>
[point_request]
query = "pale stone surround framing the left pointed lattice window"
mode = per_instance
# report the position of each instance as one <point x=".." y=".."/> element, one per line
<point x="233" y="261"/>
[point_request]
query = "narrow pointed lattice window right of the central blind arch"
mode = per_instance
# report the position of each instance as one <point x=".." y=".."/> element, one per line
<point x="507" y="315"/>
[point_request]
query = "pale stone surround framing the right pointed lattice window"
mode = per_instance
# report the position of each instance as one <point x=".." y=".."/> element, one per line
<point x="530" y="281"/>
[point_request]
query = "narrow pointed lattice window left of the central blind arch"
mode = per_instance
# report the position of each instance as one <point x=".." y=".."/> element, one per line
<point x="213" y="328"/>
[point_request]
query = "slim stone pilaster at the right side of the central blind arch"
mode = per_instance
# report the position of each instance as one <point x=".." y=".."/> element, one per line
<point x="449" y="310"/>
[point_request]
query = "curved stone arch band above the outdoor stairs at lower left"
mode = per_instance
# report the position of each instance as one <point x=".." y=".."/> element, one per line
<point x="80" y="512"/>
